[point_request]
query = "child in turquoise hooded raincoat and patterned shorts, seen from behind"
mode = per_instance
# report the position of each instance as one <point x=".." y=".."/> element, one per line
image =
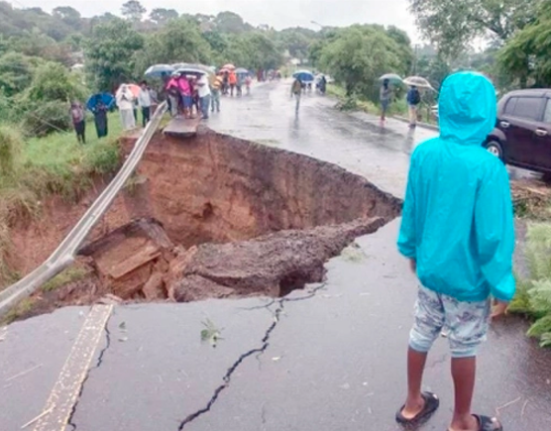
<point x="458" y="233"/>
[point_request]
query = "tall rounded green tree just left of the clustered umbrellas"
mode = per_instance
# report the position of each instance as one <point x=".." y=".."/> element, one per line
<point x="110" y="53"/>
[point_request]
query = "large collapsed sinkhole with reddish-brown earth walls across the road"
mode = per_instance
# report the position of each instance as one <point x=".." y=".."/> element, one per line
<point x="214" y="216"/>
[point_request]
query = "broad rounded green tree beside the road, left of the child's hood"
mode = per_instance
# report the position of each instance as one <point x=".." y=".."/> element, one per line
<point x="358" y="56"/>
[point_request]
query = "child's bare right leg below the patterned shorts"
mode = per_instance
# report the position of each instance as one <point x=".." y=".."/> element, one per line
<point x="463" y="373"/>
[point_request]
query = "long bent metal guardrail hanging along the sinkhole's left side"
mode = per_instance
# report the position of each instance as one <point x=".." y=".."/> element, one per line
<point x="65" y="253"/>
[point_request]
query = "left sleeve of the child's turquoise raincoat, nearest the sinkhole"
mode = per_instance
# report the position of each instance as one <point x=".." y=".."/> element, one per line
<point x="407" y="239"/>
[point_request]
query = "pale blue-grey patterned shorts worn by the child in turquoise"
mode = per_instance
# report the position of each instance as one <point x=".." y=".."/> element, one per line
<point x="466" y="323"/>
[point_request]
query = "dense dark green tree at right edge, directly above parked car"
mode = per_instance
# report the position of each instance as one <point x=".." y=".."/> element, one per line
<point x="526" y="57"/>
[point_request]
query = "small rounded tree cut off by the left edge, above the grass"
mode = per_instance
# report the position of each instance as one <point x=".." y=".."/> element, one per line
<point x="15" y="73"/>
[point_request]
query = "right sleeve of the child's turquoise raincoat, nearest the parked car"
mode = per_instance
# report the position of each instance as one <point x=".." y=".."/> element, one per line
<point x="495" y="233"/>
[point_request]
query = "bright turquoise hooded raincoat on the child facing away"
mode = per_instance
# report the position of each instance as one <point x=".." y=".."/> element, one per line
<point x="457" y="221"/>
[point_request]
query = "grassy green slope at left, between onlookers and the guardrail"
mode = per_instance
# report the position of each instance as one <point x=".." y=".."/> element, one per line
<point x="32" y="169"/>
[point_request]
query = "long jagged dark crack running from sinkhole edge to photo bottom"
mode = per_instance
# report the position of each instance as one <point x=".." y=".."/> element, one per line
<point x="256" y="351"/>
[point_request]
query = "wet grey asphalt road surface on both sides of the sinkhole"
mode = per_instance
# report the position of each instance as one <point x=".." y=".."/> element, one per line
<point x="330" y="357"/>
